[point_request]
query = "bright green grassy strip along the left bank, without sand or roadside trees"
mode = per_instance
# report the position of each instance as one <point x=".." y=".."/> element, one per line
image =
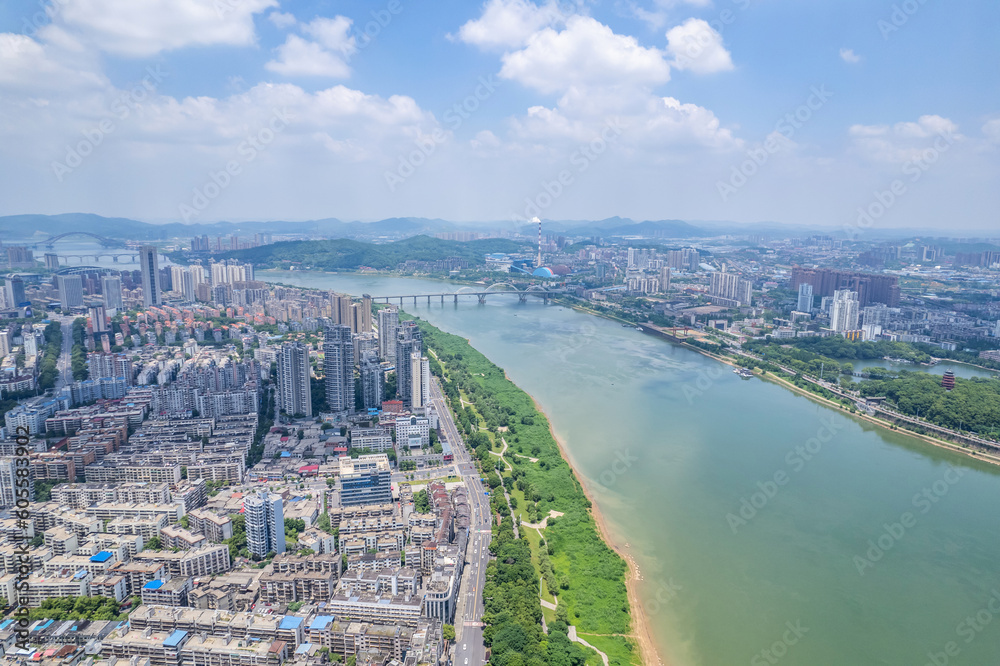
<point x="591" y="575"/>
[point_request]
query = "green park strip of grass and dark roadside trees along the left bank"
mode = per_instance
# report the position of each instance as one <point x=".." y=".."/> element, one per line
<point x="589" y="576"/>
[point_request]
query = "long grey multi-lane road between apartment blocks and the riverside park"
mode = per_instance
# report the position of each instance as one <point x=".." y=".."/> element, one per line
<point x="469" y="649"/>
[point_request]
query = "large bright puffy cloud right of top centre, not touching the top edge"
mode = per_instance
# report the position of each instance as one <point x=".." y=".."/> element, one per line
<point x="586" y="54"/>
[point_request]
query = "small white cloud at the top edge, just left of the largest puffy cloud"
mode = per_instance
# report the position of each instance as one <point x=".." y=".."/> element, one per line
<point x="509" y="23"/>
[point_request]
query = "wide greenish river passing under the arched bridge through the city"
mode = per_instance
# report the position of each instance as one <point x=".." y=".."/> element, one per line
<point x="767" y="528"/>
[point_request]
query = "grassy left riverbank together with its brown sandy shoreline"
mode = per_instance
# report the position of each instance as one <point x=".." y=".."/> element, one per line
<point x="595" y="582"/>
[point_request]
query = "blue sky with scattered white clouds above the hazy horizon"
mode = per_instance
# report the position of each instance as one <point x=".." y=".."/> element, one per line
<point x="848" y="114"/>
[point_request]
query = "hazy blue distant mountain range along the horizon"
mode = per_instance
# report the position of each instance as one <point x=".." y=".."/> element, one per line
<point x="21" y="228"/>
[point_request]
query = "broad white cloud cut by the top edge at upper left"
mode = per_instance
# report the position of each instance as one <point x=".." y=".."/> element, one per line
<point x="143" y="29"/>
